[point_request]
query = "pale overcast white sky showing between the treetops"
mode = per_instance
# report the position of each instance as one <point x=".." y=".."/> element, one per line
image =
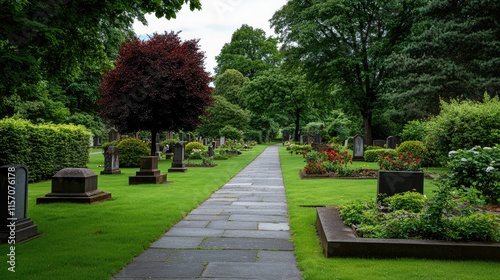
<point x="214" y="24"/>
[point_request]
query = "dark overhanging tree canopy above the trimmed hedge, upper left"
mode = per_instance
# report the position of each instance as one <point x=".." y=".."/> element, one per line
<point x="57" y="50"/>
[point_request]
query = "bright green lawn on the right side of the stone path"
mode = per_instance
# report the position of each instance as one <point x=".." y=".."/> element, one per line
<point x="309" y="192"/>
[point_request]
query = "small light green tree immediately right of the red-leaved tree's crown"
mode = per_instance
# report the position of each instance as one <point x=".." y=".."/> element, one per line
<point x="229" y="85"/>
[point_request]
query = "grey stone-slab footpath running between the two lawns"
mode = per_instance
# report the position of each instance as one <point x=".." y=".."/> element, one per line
<point x="240" y="232"/>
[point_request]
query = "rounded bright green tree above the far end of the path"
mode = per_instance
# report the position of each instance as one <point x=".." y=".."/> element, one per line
<point x="278" y="95"/>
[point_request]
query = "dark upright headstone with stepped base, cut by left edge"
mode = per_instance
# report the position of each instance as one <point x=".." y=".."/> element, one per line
<point x="15" y="226"/>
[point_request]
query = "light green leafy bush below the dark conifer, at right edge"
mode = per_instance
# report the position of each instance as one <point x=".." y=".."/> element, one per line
<point x="463" y="125"/>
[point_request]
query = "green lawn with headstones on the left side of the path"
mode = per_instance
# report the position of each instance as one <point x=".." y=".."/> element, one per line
<point x="96" y="241"/>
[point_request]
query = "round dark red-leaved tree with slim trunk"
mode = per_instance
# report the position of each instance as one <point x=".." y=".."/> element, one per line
<point x="157" y="84"/>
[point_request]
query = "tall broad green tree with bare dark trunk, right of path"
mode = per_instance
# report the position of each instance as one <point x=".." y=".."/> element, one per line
<point x="345" y="43"/>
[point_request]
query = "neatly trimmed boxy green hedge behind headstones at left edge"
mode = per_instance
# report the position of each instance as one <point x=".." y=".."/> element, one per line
<point x="44" y="149"/>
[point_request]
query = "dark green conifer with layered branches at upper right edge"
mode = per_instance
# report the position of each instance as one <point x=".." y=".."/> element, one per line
<point x="454" y="52"/>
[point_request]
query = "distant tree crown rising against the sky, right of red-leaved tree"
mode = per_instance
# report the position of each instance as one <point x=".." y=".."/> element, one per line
<point x="249" y="52"/>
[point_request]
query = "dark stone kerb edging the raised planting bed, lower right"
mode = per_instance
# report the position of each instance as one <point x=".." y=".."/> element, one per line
<point x="338" y="240"/>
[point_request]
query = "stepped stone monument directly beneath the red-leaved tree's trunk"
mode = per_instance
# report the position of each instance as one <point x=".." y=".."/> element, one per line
<point x="149" y="172"/>
